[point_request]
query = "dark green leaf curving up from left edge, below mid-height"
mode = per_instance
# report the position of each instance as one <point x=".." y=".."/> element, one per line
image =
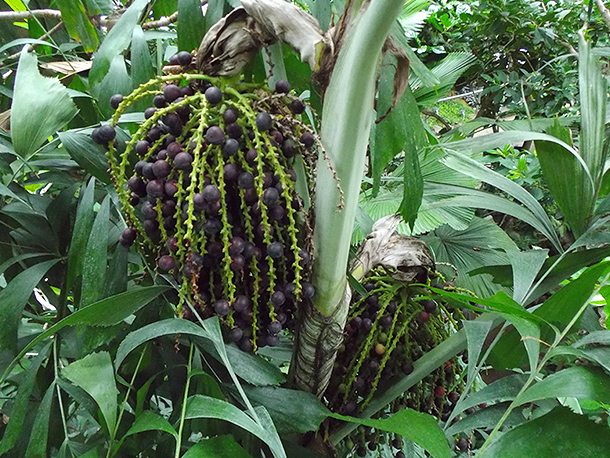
<point x="12" y="300"/>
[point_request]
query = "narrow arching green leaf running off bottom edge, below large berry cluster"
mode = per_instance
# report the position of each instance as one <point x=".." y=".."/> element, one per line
<point x="199" y="406"/>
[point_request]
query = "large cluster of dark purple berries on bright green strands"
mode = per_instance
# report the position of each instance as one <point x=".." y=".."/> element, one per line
<point x="207" y="182"/>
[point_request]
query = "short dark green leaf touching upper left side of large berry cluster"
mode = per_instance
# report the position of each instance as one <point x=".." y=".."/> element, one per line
<point x="88" y="154"/>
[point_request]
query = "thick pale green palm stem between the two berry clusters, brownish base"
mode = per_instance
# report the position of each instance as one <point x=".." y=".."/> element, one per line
<point x="346" y="121"/>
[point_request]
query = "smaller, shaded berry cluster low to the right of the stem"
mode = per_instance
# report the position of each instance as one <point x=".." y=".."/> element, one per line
<point x="389" y="328"/>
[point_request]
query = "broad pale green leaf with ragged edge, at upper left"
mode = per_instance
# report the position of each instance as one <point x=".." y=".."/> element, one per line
<point x="41" y="106"/>
